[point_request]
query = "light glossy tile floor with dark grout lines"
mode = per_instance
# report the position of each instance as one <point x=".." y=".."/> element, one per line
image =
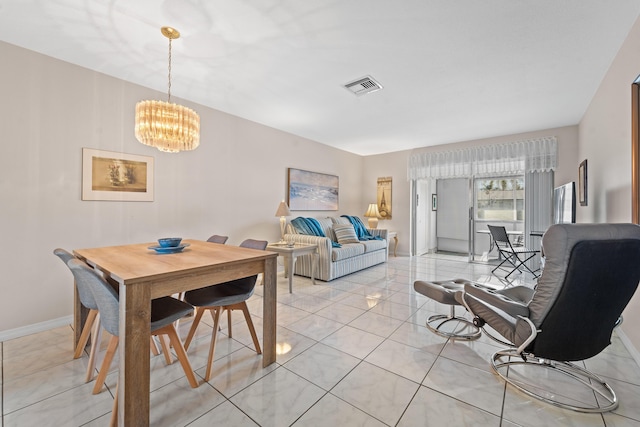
<point x="352" y="352"/>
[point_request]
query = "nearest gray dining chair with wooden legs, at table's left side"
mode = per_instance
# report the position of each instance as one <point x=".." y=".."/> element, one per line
<point x="164" y="311"/>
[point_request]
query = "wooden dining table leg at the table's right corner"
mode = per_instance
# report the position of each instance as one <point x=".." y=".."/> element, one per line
<point x="269" y="295"/>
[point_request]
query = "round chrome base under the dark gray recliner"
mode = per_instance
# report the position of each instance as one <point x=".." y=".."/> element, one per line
<point x="503" y="362"/>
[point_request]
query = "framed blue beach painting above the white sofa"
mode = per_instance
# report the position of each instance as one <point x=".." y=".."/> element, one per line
<point x="312" y="191"/>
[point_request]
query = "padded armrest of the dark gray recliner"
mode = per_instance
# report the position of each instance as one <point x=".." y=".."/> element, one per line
<point x="513" y="301"/>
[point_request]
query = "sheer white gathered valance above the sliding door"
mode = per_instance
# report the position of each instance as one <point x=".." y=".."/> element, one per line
<point x="533" y="155"/>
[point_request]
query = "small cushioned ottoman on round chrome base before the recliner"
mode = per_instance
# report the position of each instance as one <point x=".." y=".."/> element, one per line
<point x="448" y="326"/>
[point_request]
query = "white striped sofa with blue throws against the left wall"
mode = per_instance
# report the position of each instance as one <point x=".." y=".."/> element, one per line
<point x="338" y="262"/>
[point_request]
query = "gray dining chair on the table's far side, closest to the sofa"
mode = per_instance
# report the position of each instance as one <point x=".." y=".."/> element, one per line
<point x="218" y="298"/>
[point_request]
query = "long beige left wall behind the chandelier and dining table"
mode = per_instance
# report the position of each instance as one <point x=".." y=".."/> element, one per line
<point x="231" y="184"/>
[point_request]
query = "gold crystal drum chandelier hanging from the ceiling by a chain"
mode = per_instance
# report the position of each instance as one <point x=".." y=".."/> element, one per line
<point x="168" y="127"/>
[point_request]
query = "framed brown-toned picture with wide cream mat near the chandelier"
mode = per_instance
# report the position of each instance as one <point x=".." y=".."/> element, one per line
<point x="107" y="175"/>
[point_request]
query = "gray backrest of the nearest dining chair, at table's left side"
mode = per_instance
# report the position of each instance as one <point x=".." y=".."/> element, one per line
<point x="105" y="296"/>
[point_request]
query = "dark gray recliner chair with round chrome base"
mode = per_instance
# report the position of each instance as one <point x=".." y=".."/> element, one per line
<point x="591" y="272"/>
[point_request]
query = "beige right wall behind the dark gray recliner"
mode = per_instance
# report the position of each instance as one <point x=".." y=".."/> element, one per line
<point x="605" y="141"/>
